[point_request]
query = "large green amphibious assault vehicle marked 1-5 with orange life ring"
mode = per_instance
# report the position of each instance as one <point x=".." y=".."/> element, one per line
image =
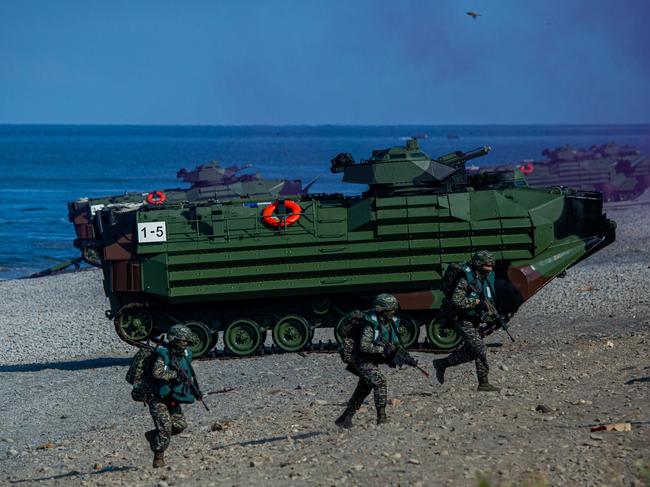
<point x="247" y="266"/>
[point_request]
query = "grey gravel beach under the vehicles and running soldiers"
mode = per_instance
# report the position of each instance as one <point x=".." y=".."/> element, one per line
<point x="582" y="351"/>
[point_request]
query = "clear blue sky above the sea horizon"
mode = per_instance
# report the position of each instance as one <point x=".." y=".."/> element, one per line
<point x="320" y="62"/>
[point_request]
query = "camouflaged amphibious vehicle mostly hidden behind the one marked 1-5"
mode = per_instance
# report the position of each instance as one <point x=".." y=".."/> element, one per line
<point x="207" y="182"/>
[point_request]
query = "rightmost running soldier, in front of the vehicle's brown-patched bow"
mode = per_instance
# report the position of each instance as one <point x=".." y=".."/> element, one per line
<point x="467" y="310"/>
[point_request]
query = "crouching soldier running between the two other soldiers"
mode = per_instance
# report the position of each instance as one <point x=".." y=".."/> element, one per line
<point x="378" y="341"/>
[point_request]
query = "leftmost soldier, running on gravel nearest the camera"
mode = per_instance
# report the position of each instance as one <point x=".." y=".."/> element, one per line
<point x="170" y="391"/>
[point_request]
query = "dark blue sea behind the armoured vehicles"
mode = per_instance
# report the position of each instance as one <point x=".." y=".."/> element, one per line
<point x="43" y="167"/>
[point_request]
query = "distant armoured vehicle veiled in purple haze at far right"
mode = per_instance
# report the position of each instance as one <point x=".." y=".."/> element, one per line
<point x="619" y="172"/>
